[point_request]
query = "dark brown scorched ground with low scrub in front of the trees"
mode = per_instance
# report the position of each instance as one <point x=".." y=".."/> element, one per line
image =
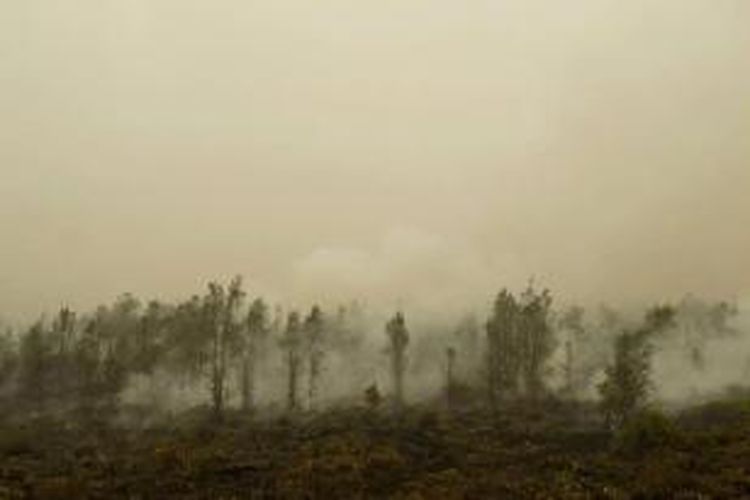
<point x="555" y="452"/>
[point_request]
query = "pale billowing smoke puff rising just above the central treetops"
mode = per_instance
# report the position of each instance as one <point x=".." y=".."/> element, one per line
<point x="410" y="270"/>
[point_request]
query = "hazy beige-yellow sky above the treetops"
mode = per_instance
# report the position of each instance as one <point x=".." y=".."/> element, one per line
<point x="403" y="148"/>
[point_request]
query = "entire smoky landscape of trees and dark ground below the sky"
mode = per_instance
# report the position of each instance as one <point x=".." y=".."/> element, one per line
<point x="225" y="395"/>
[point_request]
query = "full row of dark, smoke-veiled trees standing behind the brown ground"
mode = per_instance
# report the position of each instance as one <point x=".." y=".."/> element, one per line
<point x="222" y="341"/>
